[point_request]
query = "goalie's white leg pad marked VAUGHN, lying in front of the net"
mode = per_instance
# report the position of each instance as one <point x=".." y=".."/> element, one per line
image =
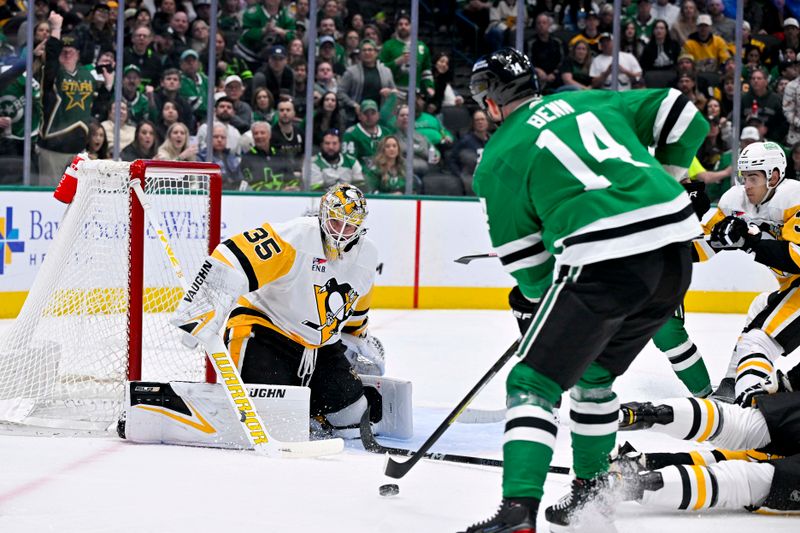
<point x="197" y="414"/>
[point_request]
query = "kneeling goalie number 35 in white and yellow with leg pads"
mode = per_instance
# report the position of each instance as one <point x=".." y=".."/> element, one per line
<point x="291" y="301"/>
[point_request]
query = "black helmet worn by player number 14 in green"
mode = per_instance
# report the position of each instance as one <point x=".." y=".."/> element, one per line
<point x="504" y="76"/>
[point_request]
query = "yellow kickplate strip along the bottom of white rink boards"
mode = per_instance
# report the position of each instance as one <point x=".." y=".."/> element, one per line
<point x="457" y="298"/>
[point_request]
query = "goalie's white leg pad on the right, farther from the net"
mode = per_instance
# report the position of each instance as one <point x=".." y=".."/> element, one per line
<point x="391" y="407"/>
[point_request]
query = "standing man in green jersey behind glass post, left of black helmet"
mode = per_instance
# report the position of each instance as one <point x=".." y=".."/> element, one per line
<point x="395" y="55"/>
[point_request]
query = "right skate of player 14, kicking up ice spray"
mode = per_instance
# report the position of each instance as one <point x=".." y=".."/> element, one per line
<point x="589" y="506"/>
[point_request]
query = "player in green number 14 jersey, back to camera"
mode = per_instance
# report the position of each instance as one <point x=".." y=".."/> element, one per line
<point x="594" y="230"/>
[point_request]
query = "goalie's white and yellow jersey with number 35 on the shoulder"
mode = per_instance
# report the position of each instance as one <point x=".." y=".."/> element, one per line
<point x="294" y="289"/>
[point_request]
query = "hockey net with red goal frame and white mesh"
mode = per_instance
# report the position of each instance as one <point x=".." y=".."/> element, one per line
<point x="97" y="313"/>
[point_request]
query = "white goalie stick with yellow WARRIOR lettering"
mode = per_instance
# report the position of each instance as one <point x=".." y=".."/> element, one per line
<point x="235" y="391"/>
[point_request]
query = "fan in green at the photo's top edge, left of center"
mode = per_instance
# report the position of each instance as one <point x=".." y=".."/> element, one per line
<point x="264" y="24"/>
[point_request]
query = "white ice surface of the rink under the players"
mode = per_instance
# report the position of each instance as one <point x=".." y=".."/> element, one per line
<point x="107" y="485"/>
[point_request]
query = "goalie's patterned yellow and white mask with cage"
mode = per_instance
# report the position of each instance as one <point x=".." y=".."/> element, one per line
<point x="342" y="212"/>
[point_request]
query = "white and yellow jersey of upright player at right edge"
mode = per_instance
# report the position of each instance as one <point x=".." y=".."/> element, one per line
<point x="778" y="217"/>
